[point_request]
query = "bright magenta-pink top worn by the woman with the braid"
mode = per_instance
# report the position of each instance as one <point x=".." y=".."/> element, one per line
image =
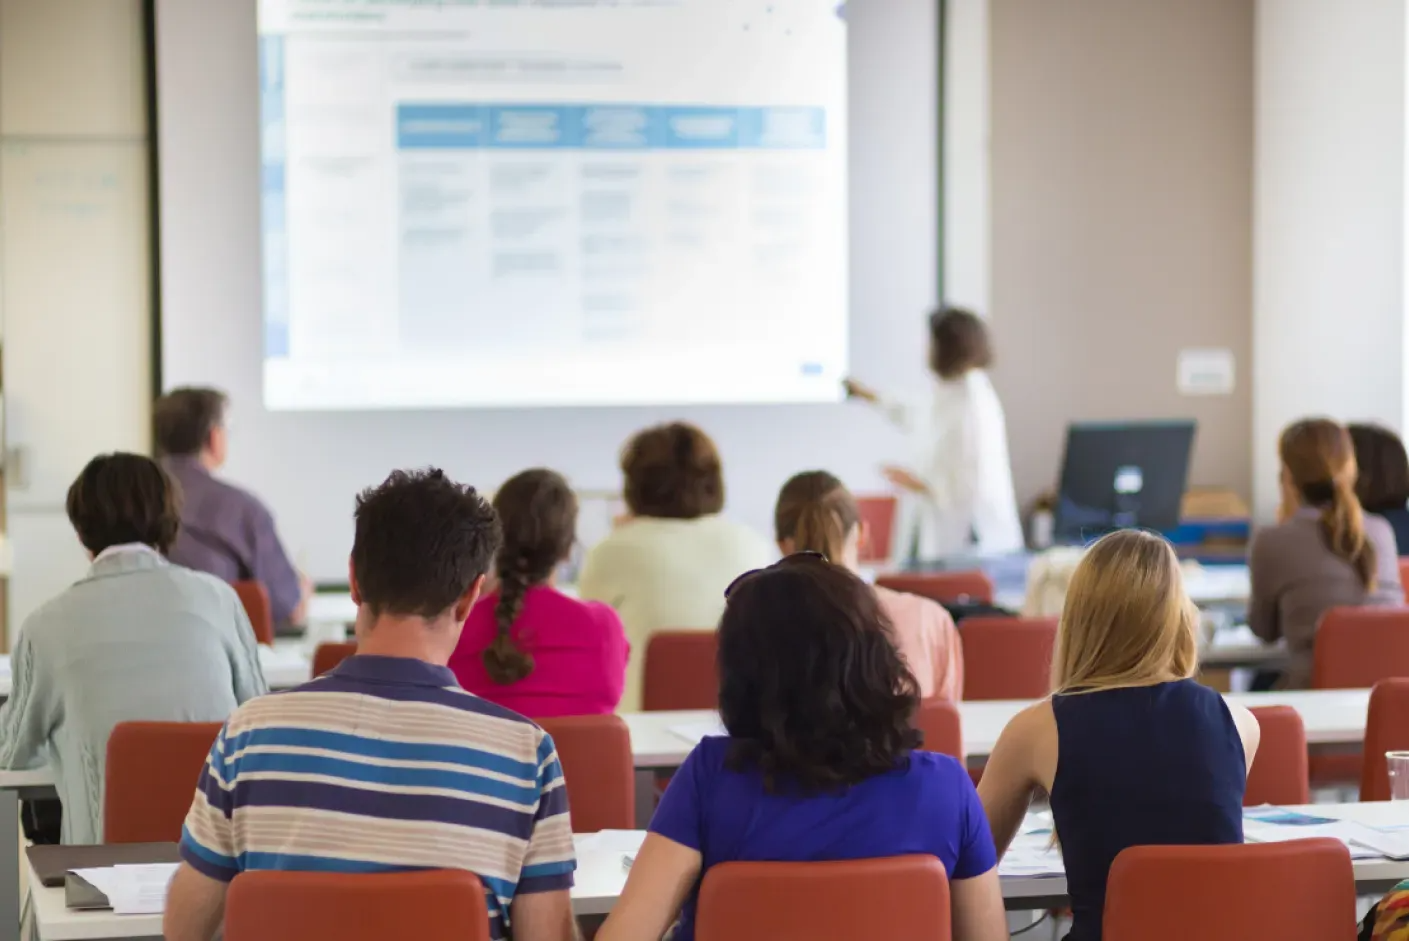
<point x="580" y="656"/>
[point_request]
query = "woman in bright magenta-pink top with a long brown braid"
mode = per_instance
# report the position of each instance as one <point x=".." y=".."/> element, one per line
<point x="528" y="646"/>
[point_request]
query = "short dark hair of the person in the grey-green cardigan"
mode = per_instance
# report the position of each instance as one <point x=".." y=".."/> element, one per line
<point x="125" y="498"/>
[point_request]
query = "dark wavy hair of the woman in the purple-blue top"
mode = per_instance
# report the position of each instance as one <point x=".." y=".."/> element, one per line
<point x="812" y="688"/>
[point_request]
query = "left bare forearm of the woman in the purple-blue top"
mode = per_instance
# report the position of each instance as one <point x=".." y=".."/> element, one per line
<point x="662" y="878"/>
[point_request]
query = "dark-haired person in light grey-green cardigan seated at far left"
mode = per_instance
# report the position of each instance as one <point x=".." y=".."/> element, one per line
<point x="136" y="640"/>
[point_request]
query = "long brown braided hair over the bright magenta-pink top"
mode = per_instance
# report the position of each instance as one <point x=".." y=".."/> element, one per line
<point x="539" y="515"/>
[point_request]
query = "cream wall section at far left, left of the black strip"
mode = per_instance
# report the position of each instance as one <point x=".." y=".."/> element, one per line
<point x="74" y="267"/>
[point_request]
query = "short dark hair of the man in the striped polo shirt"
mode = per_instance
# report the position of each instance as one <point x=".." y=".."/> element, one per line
<point x="422" y="540"/>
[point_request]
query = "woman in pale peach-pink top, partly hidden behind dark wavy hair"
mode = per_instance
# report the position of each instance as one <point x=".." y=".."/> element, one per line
<point x="818" y="513"/>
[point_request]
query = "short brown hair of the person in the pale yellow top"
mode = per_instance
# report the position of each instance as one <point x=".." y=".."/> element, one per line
<point x="673" y="473"/>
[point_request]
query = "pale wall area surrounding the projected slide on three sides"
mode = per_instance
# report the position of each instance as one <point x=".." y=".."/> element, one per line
<point x="309" y="467"/>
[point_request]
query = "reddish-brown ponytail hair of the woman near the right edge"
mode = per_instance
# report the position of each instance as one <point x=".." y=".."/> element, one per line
<point x="1320" y="460"/>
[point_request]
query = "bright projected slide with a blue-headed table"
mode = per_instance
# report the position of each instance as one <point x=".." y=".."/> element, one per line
<point x="495" y="204"/>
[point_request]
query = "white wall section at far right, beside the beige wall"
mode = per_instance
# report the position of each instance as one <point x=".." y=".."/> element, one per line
<point x="1329" y="237"/>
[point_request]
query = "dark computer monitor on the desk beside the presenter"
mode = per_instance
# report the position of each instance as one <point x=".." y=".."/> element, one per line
<point x="1125" y="475"/>
